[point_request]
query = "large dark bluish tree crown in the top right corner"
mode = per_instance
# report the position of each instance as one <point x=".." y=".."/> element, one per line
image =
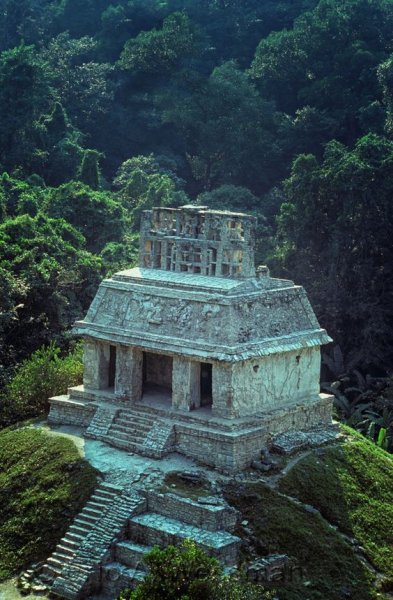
<point x="328" y="61"/>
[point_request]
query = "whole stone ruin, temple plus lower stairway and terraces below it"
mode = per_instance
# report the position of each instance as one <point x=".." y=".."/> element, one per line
<point x="194" y="360"/>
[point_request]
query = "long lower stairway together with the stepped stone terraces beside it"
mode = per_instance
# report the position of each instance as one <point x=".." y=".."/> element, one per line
<point x="102" y="551"/>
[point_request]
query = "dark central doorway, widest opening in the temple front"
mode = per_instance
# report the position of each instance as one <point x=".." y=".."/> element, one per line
<point x="157" y="373"/>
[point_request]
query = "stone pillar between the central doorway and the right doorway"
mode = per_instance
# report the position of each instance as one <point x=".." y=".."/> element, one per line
<point x="186" y="385"/>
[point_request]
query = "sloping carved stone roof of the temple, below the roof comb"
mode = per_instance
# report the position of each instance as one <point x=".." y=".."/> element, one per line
<point x="202" y="317"/>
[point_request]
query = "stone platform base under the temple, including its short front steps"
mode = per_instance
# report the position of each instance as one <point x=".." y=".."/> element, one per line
<point x="152" y="427"/>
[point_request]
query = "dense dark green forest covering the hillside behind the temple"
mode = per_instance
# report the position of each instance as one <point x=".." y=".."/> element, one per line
<point x="283" y="109"/>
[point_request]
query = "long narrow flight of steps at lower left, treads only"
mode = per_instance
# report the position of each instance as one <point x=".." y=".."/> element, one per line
<point x="84" y="522"/>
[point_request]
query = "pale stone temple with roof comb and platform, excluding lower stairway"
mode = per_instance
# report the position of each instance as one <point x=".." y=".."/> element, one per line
<point x="195" y="351"/>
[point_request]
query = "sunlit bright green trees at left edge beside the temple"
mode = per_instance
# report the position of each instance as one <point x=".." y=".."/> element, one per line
<point x="51" y="281"/>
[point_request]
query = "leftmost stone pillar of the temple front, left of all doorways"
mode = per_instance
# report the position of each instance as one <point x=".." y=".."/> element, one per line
<point x="96" y="365"/>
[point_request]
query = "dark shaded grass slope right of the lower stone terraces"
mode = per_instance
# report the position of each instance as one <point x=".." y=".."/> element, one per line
<point x="328" y="564"/>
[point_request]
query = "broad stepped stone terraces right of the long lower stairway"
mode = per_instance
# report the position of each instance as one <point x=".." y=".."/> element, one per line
<point x="158" y="527"/>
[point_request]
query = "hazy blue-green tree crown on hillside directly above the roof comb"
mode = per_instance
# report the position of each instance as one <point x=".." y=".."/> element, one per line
<point x="228" y="129"/>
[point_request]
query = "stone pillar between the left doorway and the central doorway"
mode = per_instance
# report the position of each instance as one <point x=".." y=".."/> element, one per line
<point x="128" y="380"/>
